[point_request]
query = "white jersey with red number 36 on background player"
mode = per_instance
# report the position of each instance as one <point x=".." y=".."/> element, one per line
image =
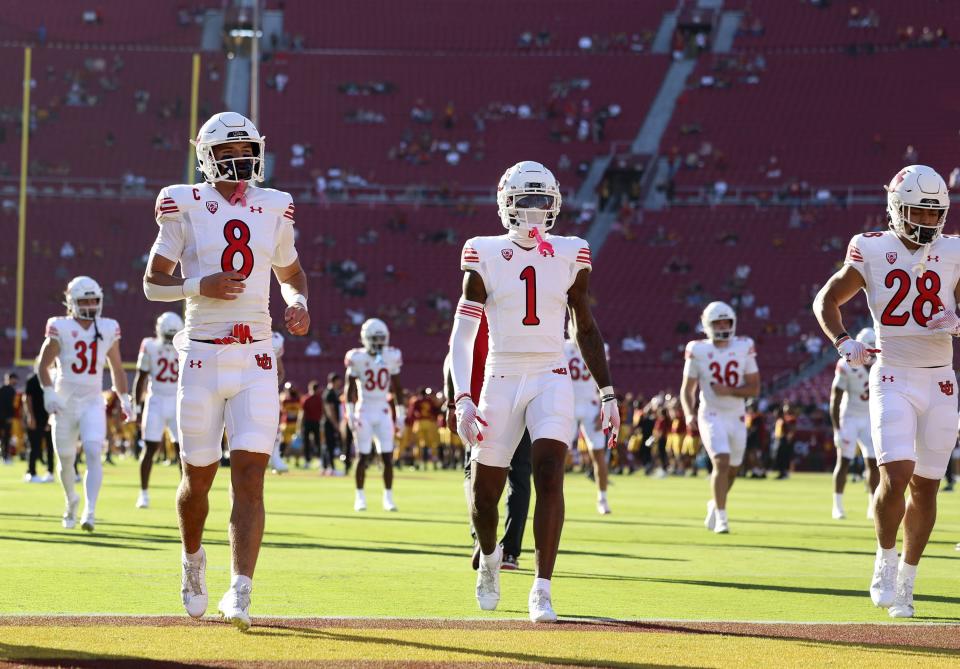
<point x="727" y="365"/>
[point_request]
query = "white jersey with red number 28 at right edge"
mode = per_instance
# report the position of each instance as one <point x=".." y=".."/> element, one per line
<point x="901" y="301"/>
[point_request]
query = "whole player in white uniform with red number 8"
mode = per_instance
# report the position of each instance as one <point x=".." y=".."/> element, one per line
<point x="228" y="236"/>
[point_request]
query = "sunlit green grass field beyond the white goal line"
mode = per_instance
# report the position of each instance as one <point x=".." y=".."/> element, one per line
<point x="785" y="559"/>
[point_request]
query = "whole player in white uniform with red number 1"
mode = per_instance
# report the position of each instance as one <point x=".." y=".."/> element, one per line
<point x="524" y="281"/>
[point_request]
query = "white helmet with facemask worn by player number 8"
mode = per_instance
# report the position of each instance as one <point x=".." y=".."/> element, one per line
<point x="224" y="128"/>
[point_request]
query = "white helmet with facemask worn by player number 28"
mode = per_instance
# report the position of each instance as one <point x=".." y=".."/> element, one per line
<point x="917" y="187"/>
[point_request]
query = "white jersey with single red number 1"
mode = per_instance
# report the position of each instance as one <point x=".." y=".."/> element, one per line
<point x="526" y="303"/>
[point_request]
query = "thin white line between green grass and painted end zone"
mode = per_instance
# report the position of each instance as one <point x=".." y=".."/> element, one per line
<point x="691" y="621"/>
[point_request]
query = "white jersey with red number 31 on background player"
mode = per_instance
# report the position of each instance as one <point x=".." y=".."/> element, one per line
<point x="82" y="356"/>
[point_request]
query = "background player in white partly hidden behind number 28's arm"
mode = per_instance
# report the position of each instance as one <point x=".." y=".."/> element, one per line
<point x="850" y="415"/>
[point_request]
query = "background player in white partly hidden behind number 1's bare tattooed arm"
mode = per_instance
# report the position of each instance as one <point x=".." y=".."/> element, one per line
<point x="586" y="402"/>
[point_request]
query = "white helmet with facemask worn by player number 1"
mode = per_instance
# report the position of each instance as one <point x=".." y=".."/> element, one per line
<point x="528" y="197"/>
